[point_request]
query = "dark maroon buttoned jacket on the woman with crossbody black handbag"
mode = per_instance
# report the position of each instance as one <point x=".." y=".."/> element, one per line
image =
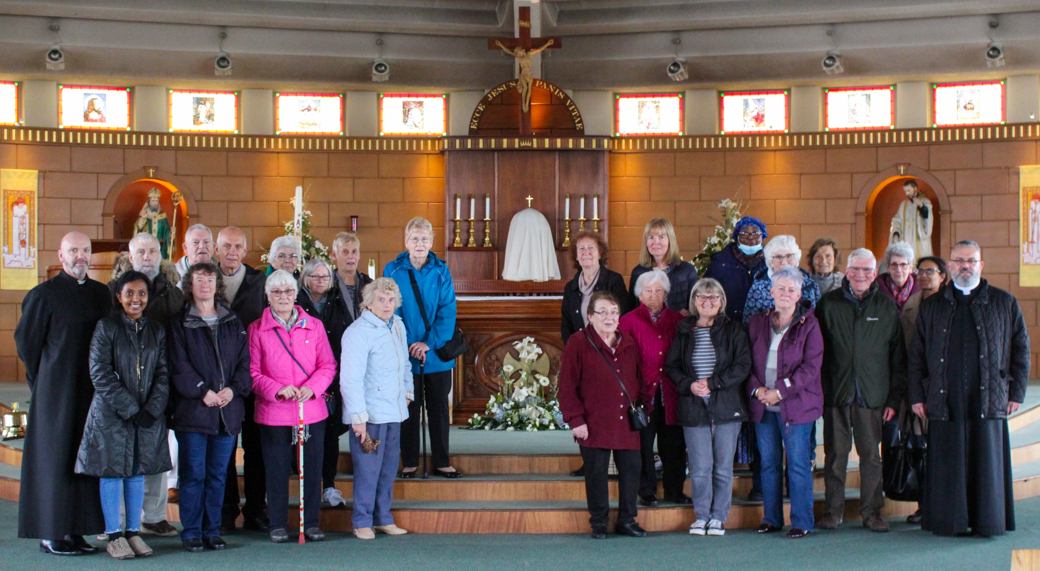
<point x="590" y="393"/>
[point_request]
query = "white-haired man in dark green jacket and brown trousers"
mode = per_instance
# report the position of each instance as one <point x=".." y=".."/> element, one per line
<point x="864" y="381"/>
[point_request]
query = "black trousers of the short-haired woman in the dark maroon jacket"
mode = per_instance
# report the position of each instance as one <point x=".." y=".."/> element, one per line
<point x="599" y="489"/>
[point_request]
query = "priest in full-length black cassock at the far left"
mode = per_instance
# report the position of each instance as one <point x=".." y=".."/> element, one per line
<point x="54" y="338"/>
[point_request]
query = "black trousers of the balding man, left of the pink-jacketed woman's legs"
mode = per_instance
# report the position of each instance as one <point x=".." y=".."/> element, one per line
<point x="253" y="473"/>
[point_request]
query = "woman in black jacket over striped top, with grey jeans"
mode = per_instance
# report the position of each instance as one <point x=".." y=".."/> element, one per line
<point x="709" y="364"/>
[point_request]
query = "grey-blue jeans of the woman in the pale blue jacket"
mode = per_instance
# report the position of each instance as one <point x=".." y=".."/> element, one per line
<point x="375" y="475"/>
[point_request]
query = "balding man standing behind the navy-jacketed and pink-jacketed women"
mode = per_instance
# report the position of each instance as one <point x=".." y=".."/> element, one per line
<point x="245" y="291"/>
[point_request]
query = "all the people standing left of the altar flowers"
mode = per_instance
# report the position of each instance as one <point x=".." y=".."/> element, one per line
<point x="159" y="375"/>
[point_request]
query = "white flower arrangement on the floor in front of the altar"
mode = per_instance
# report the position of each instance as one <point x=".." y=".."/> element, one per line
<point x="528" y="399"/>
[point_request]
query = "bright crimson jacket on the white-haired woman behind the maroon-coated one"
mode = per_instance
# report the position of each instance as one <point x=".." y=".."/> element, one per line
<point x="655" y="341"/>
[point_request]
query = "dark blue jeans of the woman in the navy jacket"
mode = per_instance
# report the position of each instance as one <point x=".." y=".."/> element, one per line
<point x="203" y="468"/>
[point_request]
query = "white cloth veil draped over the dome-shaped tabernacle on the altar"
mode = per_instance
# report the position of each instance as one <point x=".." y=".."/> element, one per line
<point x="531" y="253"/>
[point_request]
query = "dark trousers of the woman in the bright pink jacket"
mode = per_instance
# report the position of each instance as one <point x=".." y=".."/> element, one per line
<point x="280" y="453"/>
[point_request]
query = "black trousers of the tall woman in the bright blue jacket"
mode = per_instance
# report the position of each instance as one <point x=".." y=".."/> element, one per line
<point x="439" y="385"/>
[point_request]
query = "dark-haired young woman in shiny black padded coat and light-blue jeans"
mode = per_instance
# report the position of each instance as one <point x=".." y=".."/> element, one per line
<point x="125" y="438"/>
